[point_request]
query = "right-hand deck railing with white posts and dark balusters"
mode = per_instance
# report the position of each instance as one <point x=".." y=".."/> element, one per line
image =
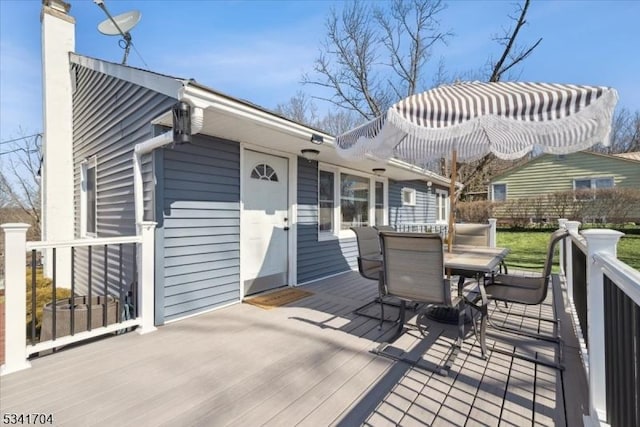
<point x="604" y="293"/>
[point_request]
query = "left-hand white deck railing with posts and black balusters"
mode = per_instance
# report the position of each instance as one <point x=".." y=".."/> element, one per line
<point x="110" y="282"/>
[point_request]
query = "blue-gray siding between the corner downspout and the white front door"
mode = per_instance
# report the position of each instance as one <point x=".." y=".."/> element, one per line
<point x="201" y="226"/>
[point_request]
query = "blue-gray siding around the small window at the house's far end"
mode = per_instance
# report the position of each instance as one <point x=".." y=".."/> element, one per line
<point x="424" y="209"/>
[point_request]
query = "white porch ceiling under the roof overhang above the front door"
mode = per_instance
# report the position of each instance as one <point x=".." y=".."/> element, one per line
<point x="242" y="127"/>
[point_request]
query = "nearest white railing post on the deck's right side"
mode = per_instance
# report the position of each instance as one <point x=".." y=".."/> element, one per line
<point x="603" y="242"/>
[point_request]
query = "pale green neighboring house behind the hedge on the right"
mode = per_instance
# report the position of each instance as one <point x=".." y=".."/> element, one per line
<point x="578" y="172"/>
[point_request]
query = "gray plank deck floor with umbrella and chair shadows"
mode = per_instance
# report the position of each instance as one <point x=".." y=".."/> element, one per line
<point x="309" y="363"/>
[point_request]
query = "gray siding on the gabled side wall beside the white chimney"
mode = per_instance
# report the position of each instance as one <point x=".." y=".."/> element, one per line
<point x="110" y="116"/>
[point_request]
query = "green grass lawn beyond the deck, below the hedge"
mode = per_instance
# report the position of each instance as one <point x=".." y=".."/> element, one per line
<point x="529" y="249"/>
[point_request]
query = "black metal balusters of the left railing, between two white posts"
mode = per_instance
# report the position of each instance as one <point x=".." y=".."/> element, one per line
<point x="102" y="291"/>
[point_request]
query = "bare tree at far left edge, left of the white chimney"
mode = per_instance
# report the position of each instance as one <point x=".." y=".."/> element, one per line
<point x="19" y="177"/>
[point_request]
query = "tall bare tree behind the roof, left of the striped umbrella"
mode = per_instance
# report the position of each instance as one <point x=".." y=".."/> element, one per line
<point x="372" y="57"/>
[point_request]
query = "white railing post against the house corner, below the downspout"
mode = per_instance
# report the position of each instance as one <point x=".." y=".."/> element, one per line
<point x="146" y="277"/>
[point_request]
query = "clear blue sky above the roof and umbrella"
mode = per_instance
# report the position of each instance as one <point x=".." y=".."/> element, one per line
<point x="258" y="50"/>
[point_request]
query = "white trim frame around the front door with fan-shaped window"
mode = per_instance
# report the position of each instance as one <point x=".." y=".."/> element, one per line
<point x="292" y="201"/>
